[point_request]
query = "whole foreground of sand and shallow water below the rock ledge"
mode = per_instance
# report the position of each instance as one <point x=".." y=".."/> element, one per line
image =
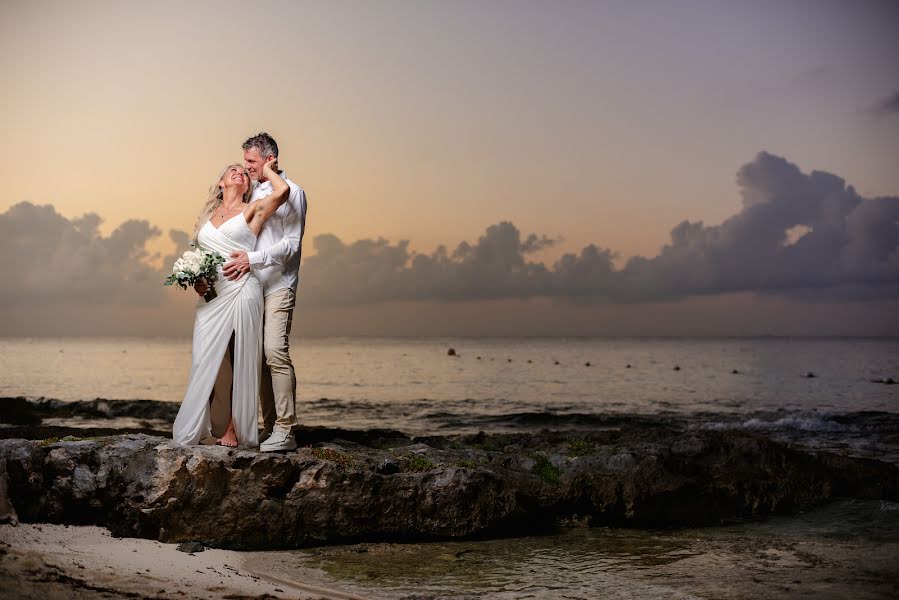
<point x="776" y="559"/>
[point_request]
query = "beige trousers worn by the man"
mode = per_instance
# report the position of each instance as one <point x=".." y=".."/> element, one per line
<point x="278" y="384"/>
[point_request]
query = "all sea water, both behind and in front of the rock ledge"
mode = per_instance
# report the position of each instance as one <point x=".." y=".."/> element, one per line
<point x="824" y="393"/>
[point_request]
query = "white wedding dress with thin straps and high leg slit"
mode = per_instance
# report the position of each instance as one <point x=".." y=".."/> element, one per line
<point x="236" y="310"/>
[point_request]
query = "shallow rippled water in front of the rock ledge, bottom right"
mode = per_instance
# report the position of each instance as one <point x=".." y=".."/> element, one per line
<point x="846" y="549"/>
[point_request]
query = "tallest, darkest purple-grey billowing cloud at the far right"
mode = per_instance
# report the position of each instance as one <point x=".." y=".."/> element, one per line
<point x="850" y="240"/>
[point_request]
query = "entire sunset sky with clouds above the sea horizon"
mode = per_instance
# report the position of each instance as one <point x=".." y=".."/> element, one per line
<point x="472" y="168"/>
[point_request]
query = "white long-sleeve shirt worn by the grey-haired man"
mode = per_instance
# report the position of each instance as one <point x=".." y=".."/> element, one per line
<point x="276" y="258"/>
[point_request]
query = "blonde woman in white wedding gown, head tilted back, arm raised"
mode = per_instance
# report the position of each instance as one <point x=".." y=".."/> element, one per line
<point x="228" y="329"/>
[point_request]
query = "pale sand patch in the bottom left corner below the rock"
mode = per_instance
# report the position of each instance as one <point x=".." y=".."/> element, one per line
<point x="59" y="561"/>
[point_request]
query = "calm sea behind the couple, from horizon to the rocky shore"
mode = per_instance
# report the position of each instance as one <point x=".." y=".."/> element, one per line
<point x="362" y="382"/>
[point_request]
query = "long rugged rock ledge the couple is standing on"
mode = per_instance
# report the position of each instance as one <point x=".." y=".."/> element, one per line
<point x="348" y="485"/>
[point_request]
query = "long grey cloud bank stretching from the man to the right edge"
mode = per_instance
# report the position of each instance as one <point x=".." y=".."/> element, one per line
<point x="848" y="249"/>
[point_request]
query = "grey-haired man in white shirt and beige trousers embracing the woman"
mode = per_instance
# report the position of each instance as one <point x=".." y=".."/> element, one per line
<point x="276" y="263"/>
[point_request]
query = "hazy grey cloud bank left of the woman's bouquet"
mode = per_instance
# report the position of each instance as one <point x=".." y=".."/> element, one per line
<point x="49" y="259"/>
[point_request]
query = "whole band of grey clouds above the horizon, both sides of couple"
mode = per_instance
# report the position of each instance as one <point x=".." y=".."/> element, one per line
<point x="807" y="236"/>
